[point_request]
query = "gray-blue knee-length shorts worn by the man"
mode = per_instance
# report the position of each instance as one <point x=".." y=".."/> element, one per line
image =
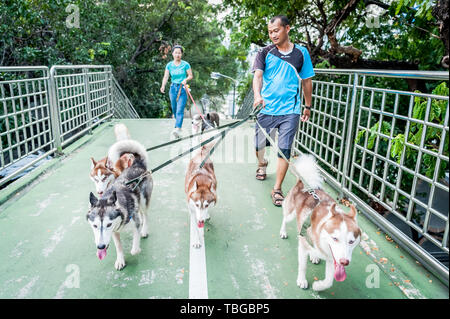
<point x="287" y="126"/>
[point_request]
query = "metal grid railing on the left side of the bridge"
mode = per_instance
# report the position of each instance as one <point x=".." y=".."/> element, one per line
<point x="42" y="111"/>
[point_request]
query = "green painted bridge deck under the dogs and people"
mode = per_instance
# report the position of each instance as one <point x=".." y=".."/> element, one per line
<point x="47" y="248"/>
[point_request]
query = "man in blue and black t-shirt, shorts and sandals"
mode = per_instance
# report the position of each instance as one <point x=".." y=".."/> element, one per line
<point x="281" y="70"/>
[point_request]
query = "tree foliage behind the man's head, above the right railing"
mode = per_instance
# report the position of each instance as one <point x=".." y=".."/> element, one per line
<point x="352" y="33"/>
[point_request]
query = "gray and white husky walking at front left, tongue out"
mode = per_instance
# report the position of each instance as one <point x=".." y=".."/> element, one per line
<point x="119" y="206"/>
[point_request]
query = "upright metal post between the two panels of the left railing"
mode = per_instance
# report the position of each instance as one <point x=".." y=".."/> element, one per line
<point x="53" y="106"/>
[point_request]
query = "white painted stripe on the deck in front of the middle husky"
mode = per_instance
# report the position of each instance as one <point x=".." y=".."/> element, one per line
<point x="198" y="286"/>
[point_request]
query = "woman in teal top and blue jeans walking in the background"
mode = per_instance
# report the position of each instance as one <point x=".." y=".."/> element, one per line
<point x="180" y="72"/>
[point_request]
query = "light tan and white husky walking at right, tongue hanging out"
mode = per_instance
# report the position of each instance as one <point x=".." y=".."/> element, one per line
<point x="333" y="233"/>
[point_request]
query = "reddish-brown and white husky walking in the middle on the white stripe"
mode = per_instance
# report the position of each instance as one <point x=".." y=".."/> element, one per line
<point x="200" y="188"/>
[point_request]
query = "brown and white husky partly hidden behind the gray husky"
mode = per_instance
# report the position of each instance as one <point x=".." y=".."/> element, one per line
<point x="105" y="171"/>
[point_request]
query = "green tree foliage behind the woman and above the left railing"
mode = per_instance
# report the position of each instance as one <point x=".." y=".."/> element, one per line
<point x="134" y="36"/>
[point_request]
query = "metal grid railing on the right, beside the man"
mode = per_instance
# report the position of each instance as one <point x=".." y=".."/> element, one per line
<point x="386" y="149"/>
